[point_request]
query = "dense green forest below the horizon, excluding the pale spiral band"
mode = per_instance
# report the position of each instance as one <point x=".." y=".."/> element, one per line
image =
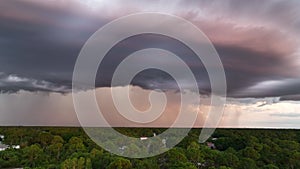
<point x="71" y="148"/>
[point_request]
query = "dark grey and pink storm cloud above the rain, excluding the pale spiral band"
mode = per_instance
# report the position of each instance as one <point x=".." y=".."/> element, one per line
<point x="40" y="43"/>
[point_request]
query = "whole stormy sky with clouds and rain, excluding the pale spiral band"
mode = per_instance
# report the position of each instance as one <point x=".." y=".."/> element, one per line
<point x="257" y="42"/>
